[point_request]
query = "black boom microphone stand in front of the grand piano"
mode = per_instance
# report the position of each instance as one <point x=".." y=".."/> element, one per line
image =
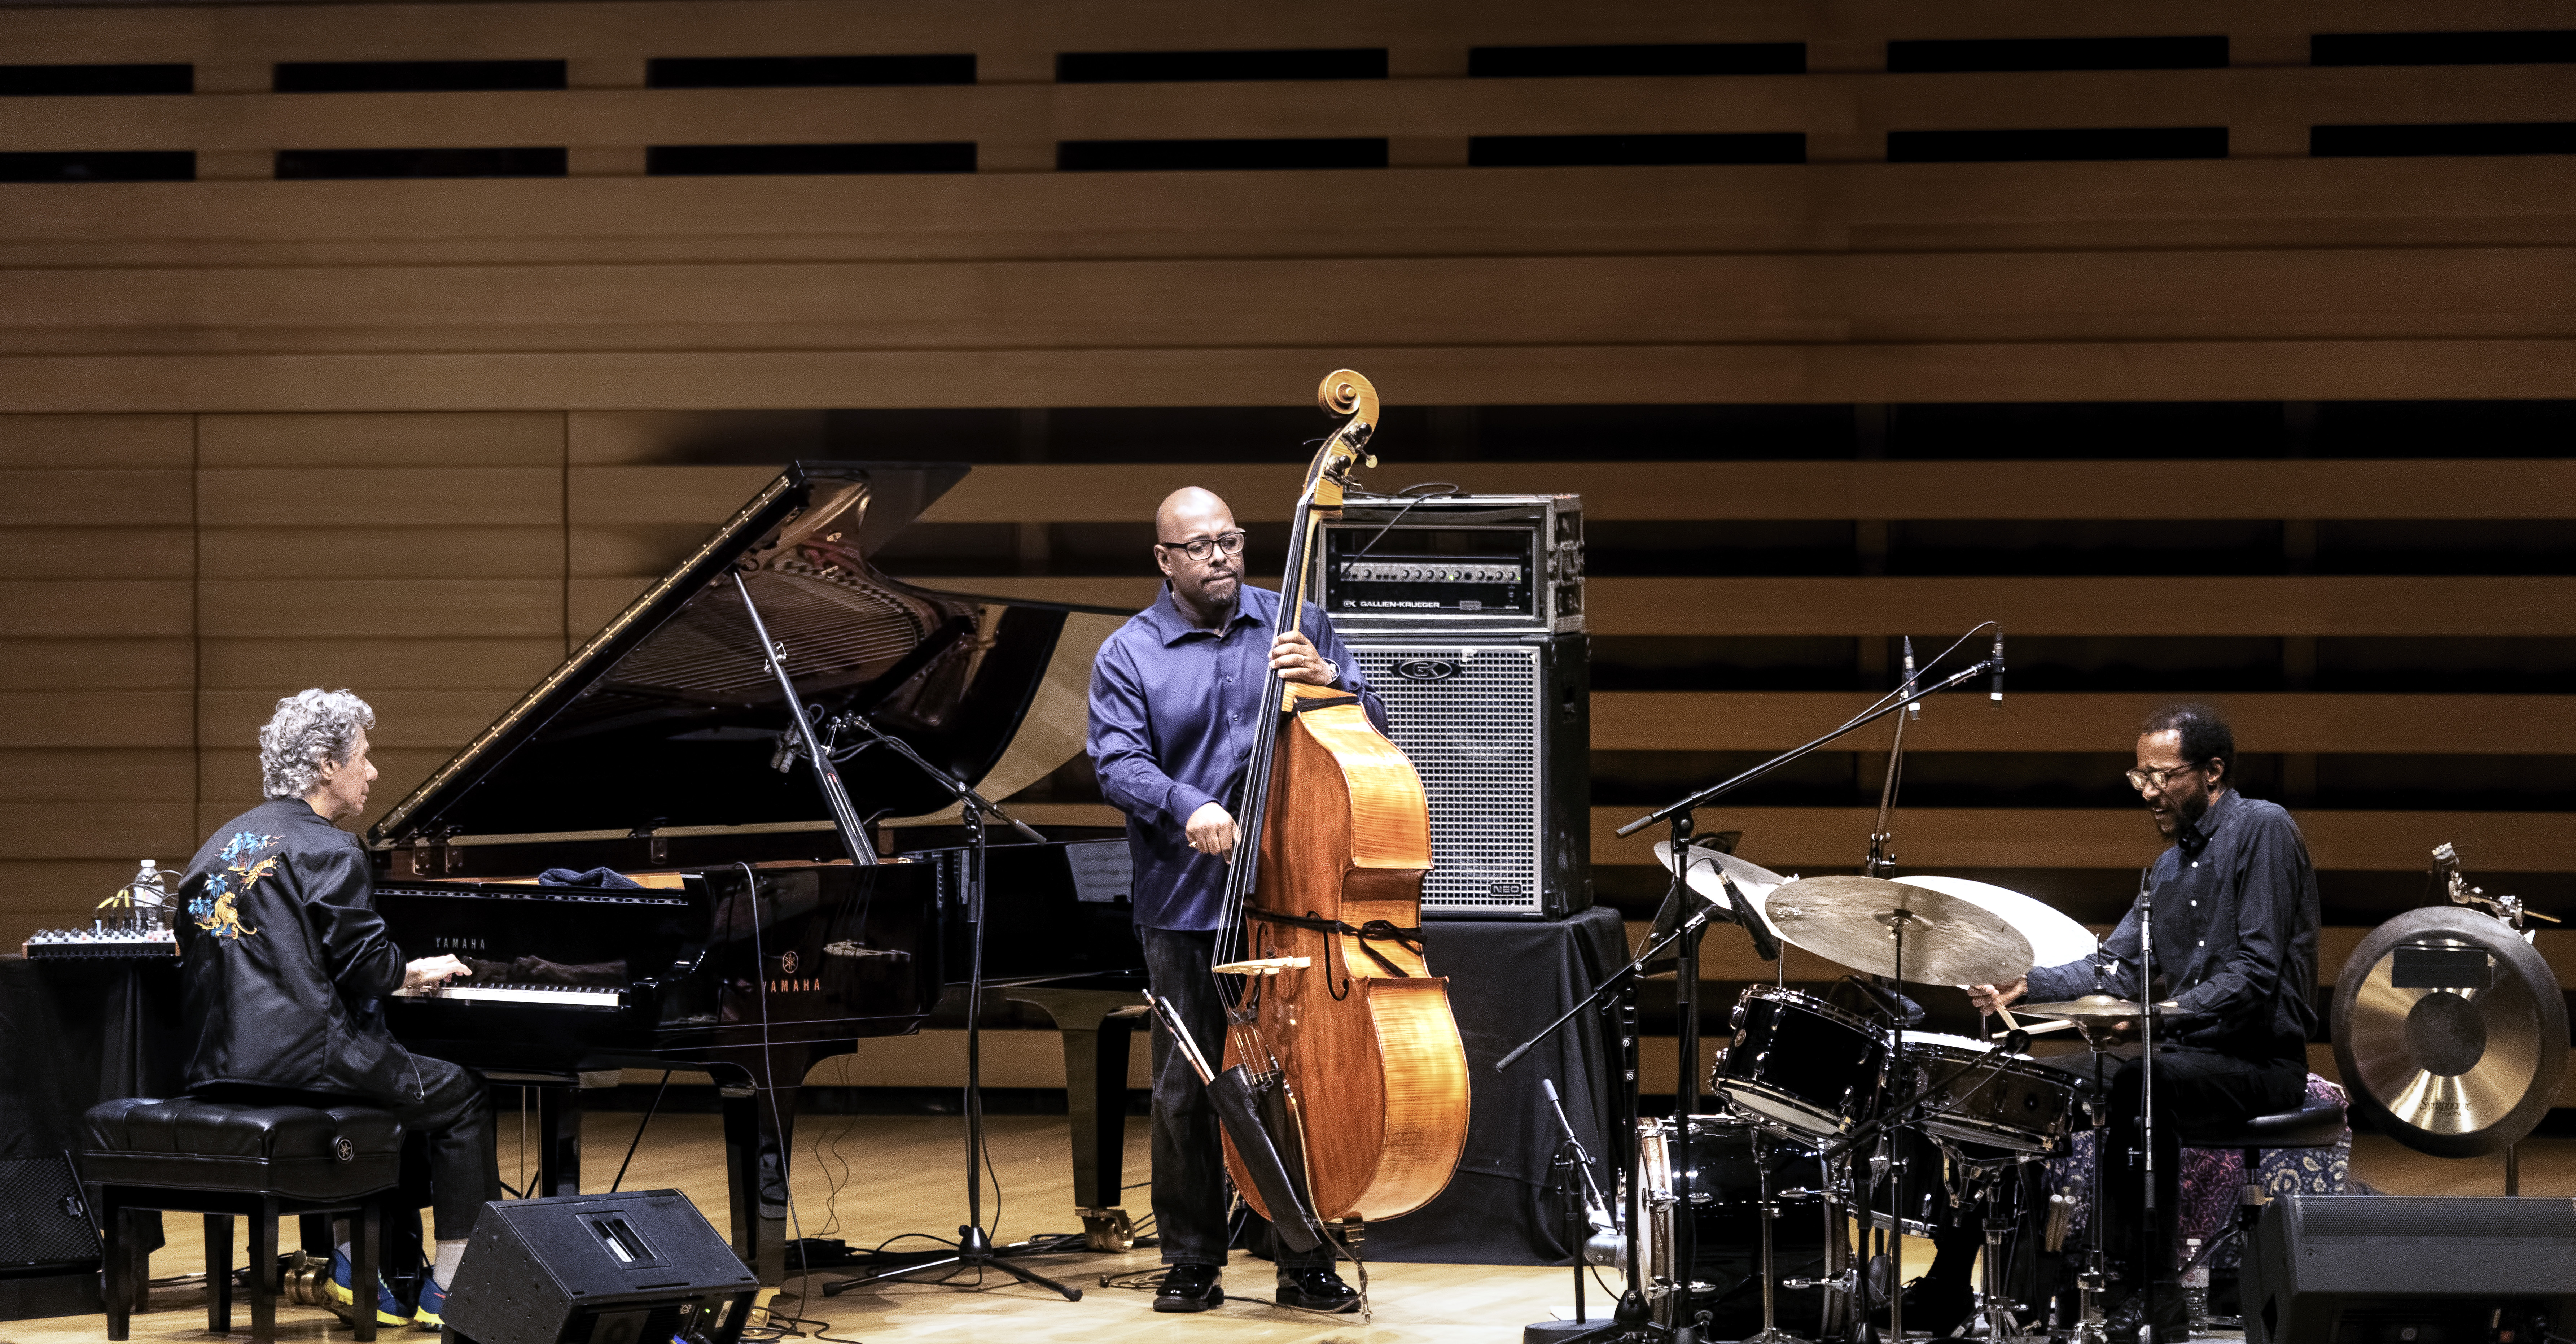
<point x="975" y="1245"/>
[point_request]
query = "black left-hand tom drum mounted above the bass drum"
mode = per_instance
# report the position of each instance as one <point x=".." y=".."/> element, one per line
<point x="1799" y="1062"/>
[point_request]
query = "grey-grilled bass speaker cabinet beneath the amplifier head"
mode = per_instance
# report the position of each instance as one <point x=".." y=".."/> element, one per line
<point x="1501" y="733"/>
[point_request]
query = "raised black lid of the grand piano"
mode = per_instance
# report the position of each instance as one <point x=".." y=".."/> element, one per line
<point x="668" y="717"/>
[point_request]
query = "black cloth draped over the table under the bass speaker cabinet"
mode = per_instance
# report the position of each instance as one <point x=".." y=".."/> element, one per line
<point x="1508" y="982"/>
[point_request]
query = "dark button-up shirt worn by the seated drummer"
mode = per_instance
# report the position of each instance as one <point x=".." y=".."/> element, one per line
<point x="2235" y="936"/>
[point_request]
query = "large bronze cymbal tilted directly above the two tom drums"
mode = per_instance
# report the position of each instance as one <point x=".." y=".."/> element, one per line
<point x="1853" y="923"/>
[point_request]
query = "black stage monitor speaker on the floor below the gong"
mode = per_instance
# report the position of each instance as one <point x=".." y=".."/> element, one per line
<point x="2410" y="1271"/>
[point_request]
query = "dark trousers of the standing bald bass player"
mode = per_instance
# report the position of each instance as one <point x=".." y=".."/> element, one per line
<point x="1189" y="1139"/>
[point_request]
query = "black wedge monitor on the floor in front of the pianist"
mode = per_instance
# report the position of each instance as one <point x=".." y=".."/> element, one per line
<point x="632" y="1268"/>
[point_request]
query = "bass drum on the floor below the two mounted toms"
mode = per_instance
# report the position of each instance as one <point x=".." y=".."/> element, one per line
<point x="1727" y="1263"/>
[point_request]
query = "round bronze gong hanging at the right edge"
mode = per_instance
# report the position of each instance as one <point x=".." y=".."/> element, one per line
<point x="2451" y="1031"/>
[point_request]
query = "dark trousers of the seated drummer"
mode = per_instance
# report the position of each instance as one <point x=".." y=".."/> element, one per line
<point x="2191" y="1085"/>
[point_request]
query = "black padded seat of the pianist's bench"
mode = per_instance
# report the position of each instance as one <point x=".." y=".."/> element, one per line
<point x="328" y="1152"/>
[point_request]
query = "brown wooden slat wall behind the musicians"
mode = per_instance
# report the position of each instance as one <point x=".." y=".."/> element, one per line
<point x="413" y="436"/>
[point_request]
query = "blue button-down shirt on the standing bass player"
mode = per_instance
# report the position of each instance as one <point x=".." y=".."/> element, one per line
<point x="1173" y="717"/>
